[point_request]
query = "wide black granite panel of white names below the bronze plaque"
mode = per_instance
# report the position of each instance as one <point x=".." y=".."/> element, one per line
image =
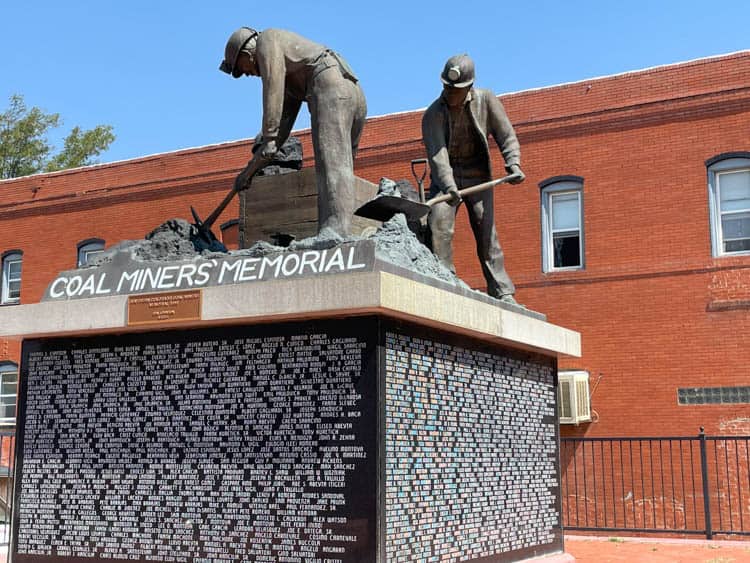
<point x="235" y="444"/>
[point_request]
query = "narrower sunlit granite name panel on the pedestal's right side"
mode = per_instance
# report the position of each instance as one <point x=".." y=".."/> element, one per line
<point x="471" y="462"/>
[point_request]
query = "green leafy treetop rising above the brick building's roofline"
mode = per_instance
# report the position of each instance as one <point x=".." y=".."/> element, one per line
<point x="25" y="149"/>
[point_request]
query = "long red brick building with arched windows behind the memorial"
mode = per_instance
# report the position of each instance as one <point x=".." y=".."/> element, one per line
<point x="633" y="227"/>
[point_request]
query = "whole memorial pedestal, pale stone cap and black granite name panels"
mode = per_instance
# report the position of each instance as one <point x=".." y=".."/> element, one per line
<point x="354" y="417"/>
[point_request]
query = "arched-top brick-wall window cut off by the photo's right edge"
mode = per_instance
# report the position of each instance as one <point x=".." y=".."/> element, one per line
<point x="729" y="196"/>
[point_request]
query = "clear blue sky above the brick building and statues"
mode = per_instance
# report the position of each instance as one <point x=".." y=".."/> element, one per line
<point x="150" y="69"/>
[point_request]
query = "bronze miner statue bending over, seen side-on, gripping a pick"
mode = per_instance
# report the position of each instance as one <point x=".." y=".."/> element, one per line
<point x="294" y="69"/>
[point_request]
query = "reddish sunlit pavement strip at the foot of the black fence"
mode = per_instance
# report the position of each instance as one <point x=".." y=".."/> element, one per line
<point x="589" y="549"/>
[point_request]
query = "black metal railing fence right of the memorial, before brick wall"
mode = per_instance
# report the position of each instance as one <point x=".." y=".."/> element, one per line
<point x="687" y="485"/>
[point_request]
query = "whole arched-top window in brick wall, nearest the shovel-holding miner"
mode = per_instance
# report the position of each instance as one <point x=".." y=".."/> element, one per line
<point x="562" y="223"/>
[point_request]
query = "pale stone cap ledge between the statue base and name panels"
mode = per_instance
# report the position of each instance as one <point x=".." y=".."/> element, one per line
<point x="375" y="292"/>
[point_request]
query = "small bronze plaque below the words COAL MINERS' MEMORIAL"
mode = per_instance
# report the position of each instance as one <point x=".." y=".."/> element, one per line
<point x="157" y="308"/>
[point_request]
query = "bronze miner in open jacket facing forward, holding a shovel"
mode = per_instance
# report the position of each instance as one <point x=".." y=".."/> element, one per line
<point x="455" y="131"/>
